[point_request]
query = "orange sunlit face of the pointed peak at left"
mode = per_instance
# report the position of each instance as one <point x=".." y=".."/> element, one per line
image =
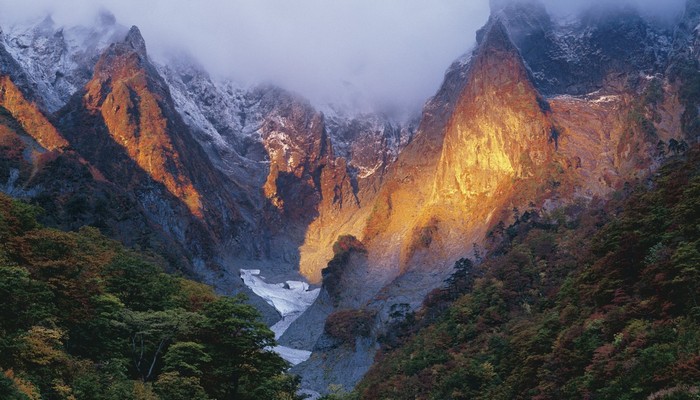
<point x="131" y="110"/>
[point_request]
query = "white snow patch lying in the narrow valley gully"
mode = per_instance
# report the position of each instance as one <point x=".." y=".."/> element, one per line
<point x="290" y="299"/>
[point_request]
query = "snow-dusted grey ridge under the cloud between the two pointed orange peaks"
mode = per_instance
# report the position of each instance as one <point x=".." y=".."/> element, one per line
<point x="231" y="118"/>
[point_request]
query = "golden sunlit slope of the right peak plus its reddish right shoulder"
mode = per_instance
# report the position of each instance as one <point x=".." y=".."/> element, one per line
<point x="503" y="146"/>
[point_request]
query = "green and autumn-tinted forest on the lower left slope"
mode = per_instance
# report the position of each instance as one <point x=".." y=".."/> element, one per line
<point x="85" y="318"/>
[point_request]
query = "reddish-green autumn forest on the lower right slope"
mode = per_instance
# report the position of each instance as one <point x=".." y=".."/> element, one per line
<point x="594" y="300"/>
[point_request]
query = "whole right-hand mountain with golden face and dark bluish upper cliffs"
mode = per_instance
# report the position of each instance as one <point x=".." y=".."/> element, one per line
<point x="494" y="143"/>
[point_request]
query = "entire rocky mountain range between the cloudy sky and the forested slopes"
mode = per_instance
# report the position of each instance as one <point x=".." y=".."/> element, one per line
<point x="541" y="115"/>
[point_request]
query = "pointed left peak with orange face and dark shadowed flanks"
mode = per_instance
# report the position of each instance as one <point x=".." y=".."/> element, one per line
<point x="123" y="122"/>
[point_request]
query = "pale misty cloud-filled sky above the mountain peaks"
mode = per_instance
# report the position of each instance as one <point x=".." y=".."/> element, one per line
<point x="390" y="53"/>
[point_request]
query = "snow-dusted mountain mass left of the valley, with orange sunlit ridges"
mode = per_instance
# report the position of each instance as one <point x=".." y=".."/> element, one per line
<point x="215" y="177"/>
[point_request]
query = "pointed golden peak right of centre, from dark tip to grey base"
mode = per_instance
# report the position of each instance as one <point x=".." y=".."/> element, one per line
<point x="444" y="188"/>
